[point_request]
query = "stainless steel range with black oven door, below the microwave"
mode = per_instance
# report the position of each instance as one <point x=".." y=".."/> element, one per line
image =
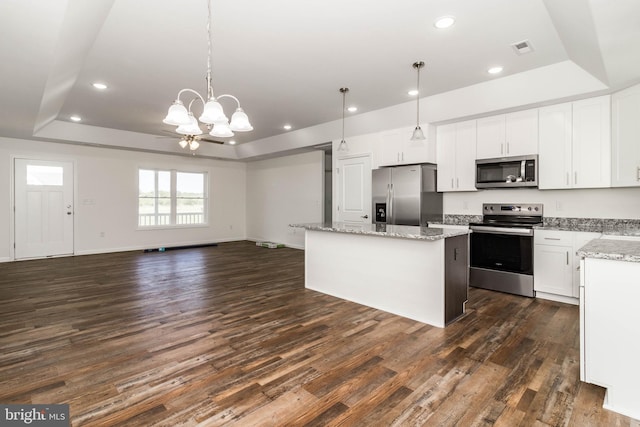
<point x="502" y="248"/>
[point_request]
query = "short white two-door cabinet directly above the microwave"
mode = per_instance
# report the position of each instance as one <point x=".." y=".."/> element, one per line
<point x="513" y="134"/>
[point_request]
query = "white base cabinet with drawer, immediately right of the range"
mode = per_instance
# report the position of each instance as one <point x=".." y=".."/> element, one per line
<point x="556" y="268"/>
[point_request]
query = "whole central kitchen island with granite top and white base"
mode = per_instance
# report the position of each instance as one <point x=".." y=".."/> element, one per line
<point x="416" y="272"/>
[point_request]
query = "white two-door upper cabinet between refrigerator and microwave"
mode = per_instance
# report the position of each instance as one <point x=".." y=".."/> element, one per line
<point x="456" y="145"/>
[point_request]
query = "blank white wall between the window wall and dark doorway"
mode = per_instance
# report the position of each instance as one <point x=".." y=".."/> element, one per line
<point x="284" y="191"/>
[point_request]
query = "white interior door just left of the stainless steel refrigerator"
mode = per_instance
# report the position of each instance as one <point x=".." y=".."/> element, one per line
<point x="354" y="189"/>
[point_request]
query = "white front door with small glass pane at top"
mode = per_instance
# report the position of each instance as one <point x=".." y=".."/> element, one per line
<point x="43" y="200"/>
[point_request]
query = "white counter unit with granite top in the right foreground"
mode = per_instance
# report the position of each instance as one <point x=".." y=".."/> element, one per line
<point x="609" y="318"/>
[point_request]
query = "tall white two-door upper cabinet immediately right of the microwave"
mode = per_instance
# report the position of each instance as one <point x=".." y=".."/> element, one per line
<point x="575" y="144"/>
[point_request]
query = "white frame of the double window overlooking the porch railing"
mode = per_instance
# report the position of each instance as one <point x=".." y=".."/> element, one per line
<point x="173" y="199"/>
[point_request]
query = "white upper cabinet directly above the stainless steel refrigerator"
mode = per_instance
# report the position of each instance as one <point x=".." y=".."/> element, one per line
<point x="398" y="149"/>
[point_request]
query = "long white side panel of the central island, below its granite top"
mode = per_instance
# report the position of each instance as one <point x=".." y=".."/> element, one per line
<point x="401" y="276"/>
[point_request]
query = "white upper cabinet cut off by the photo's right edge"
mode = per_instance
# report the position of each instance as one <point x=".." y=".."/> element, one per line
<point x="625" y="132"/>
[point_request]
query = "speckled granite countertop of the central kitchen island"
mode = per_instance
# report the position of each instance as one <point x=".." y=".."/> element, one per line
<point x="385" y="230"/>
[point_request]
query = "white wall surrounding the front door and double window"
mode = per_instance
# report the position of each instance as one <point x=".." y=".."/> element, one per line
<point x="106" y="197"/>
